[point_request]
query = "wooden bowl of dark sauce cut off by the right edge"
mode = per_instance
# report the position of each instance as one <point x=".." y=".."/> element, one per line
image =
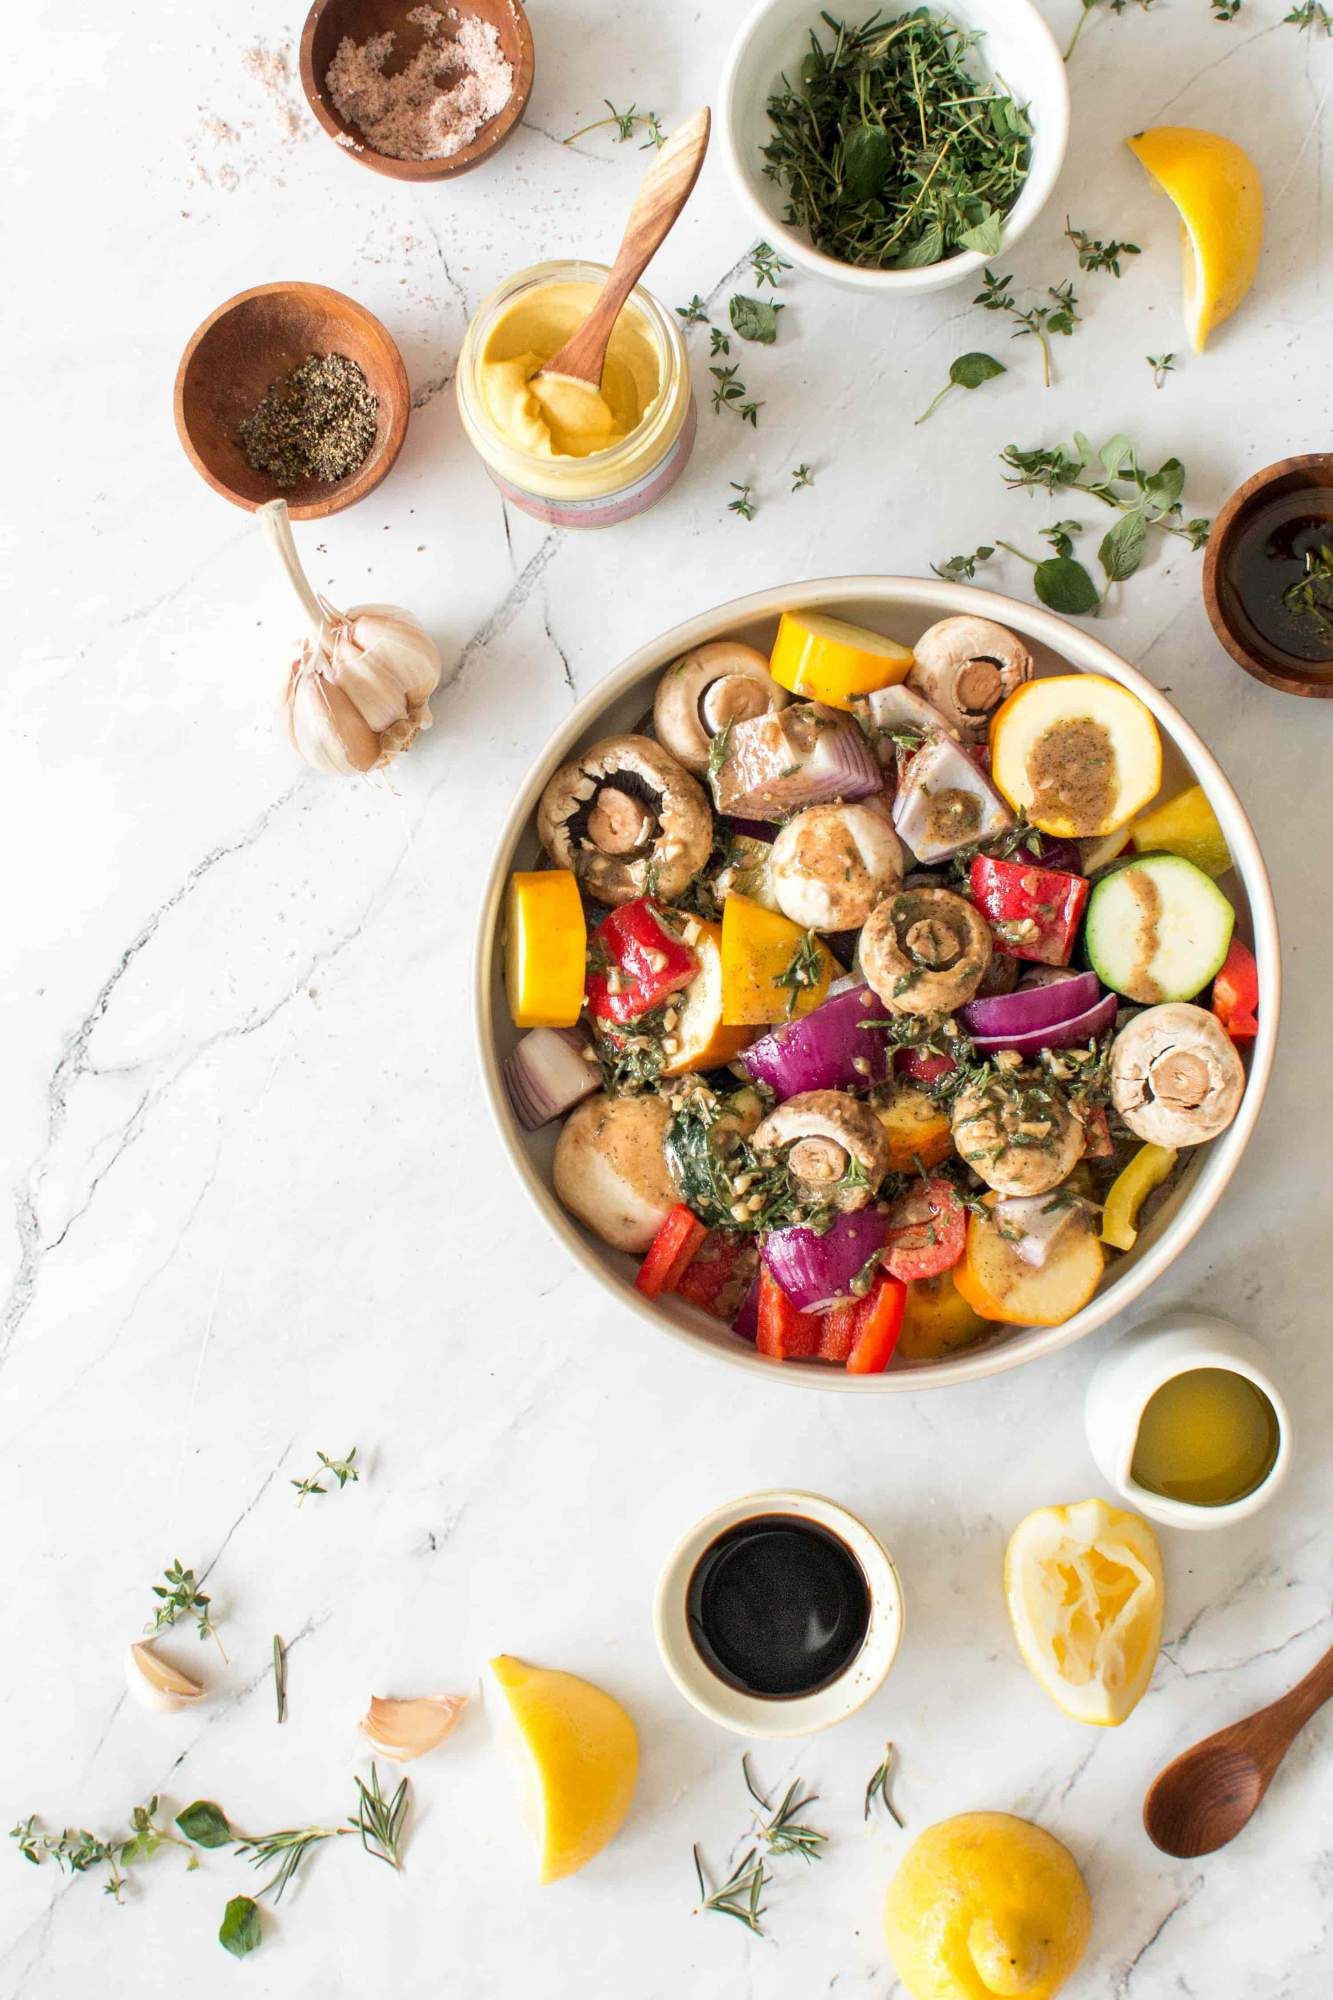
<point x="1260" y="559"/>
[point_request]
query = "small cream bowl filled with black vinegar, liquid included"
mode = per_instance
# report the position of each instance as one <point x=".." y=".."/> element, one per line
<point x="780" y="1615"/>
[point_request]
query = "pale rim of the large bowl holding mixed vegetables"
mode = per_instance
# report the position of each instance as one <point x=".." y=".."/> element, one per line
<point x="1084" y="655"/>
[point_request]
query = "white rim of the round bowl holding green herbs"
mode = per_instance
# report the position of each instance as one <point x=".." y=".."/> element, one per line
<point x="956" y="269"/>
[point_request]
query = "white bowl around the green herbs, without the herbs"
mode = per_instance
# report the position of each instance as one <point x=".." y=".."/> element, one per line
<point x="772" y="43"/>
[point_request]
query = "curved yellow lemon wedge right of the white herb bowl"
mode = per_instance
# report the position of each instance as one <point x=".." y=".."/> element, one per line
<point x="1220" y="197"/>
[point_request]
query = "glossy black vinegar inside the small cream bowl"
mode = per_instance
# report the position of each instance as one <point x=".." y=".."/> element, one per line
<point x="778" y="1607"/>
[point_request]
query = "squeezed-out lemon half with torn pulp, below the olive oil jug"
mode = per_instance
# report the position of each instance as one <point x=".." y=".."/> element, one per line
<point x="1086" y="1601"/>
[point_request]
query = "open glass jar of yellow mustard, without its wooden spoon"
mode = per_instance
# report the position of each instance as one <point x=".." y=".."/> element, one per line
<point x="559" y="449"/>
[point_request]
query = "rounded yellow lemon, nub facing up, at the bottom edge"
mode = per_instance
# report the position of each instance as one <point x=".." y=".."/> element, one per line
<point x="986" y="1905"/>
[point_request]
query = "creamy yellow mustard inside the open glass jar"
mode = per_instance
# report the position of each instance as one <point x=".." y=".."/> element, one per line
<point x="559" y="417"/>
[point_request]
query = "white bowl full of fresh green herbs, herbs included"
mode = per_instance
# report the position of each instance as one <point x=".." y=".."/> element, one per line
<point x="978" y="167"/>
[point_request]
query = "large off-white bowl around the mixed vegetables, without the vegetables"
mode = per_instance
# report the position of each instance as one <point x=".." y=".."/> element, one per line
<point x="902" y="609"/>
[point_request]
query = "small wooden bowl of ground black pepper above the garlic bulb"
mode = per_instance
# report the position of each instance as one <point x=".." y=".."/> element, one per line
<point x="245" y="353"/>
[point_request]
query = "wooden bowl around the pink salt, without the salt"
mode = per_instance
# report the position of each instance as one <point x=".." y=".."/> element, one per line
<point x="333" y="23"/>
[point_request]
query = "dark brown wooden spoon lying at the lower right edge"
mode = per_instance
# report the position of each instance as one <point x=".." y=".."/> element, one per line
<point x="1204" y="1797"/>
